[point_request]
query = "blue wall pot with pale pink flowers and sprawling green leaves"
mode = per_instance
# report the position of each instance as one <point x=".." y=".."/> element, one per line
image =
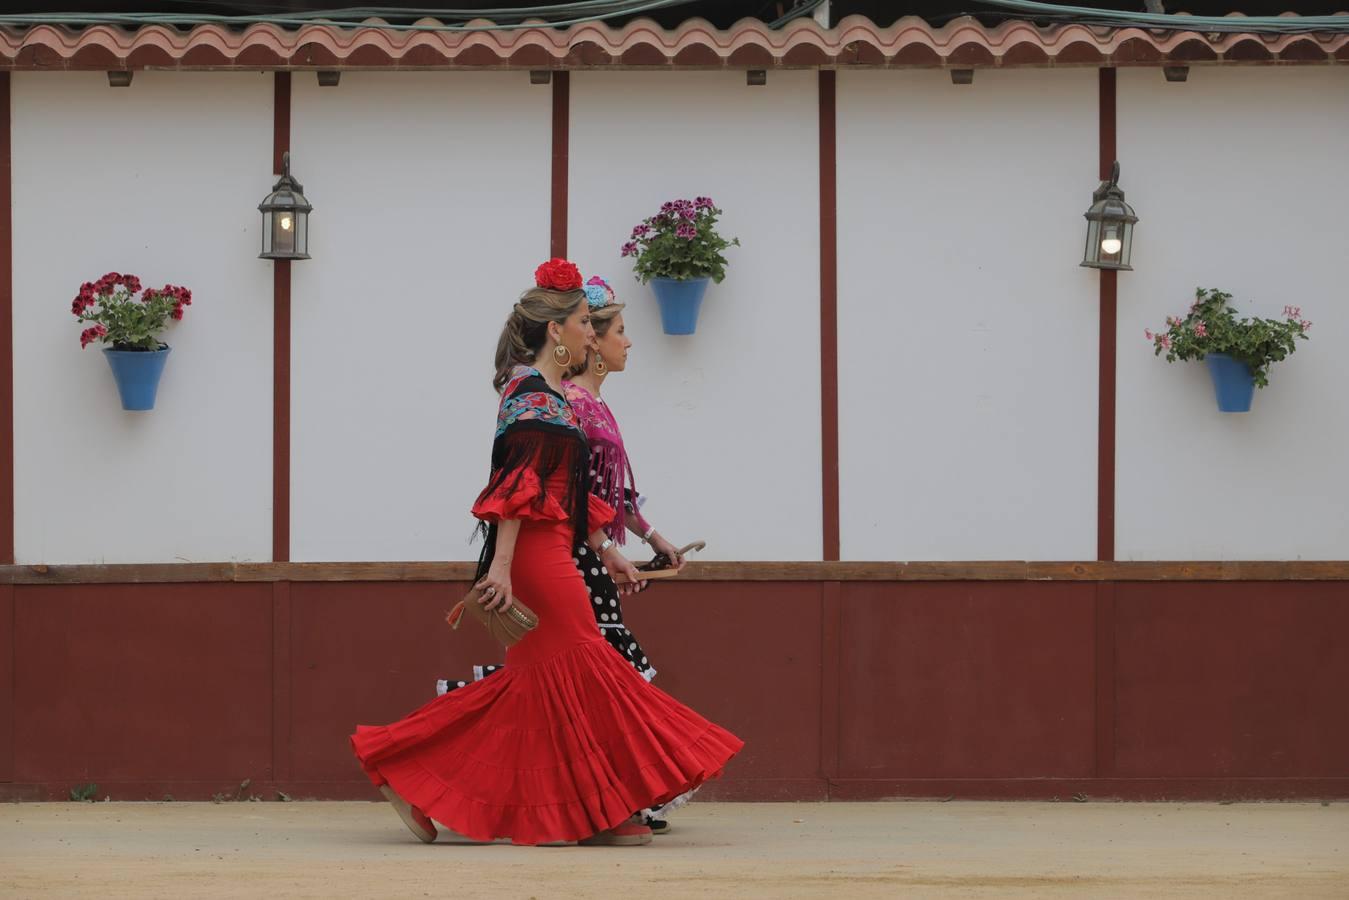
<point x="1238" y="351"/>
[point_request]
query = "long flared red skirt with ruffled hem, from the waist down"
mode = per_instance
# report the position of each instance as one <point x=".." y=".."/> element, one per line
<point x="569" y="740"/>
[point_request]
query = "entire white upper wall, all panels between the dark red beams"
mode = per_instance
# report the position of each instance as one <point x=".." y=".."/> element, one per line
<point x="968" y="331"/>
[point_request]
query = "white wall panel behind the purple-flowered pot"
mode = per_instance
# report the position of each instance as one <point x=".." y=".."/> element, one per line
<point x="724" y="427"/>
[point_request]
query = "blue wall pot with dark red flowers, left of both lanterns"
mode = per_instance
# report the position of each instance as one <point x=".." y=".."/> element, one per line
<point x="132" y="330"/>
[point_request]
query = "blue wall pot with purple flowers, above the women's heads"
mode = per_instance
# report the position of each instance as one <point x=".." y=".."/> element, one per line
<point x="678" y="252"/>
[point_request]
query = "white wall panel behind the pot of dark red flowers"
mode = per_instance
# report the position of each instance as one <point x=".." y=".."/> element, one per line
<point x="160" y="180"/>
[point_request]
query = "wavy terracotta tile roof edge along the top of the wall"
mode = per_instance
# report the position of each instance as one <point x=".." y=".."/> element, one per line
<point x="856" y="41"/>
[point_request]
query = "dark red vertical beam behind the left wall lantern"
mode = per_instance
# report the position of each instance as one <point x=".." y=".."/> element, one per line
<point x="281" y="350"/>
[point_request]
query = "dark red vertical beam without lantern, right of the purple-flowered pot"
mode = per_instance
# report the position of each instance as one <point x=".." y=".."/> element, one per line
<point x="829" y="315"/>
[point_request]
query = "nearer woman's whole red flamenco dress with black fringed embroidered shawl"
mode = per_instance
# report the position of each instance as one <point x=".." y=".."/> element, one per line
<point x="569" y="739"/>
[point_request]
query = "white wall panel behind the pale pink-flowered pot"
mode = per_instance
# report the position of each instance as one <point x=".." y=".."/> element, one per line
<point x="1239" y="180"/>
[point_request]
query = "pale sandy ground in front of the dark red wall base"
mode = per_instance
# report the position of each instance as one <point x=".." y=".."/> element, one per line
<point x="717" y="851"/>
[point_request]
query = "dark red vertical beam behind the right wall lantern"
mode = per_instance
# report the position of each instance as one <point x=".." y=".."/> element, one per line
<point x="1107" y="354"/>
